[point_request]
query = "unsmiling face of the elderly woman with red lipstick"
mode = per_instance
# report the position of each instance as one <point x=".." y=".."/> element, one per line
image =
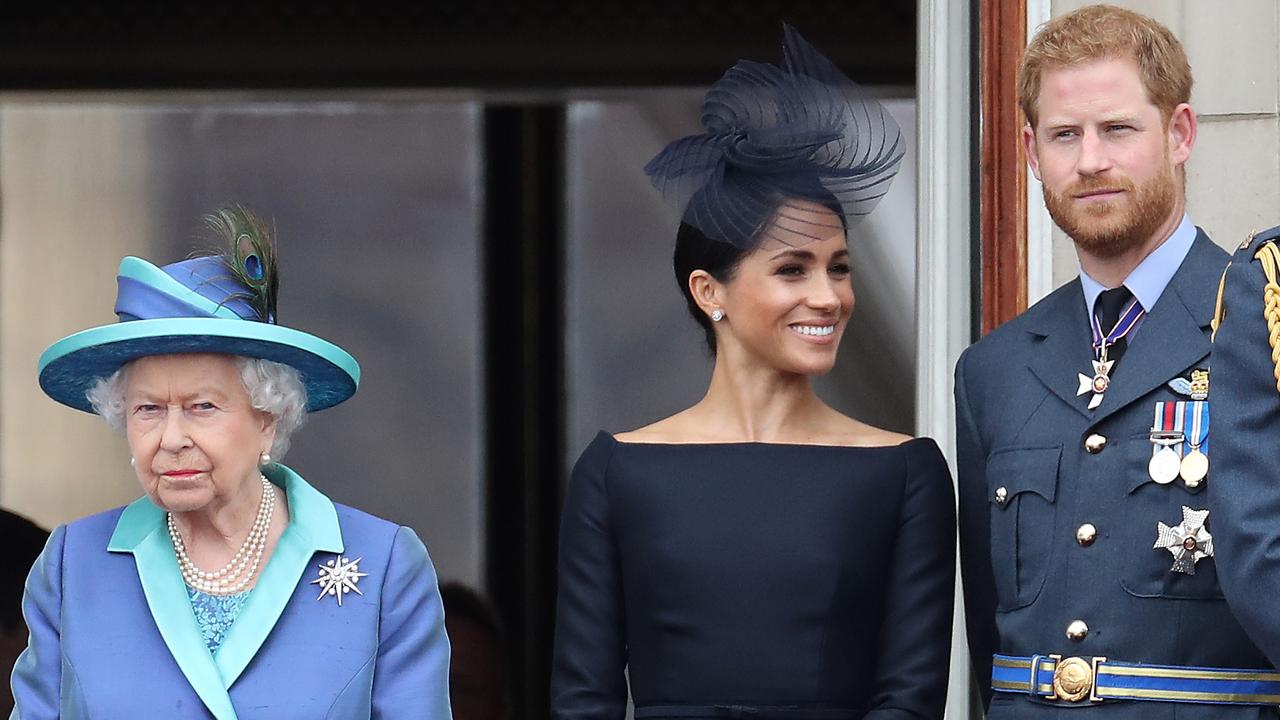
<point x="193" y="431"/>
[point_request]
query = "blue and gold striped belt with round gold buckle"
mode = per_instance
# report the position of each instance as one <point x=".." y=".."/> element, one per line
<point x="1096" y="680"/>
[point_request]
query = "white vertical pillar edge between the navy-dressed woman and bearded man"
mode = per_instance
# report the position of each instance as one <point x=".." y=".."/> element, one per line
<point x="944" y="241"/>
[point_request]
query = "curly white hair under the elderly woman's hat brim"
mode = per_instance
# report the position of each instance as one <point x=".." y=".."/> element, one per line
<point x="273" y="388"/>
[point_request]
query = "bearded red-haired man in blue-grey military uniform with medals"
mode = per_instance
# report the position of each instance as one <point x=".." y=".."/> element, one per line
<point x="1086" y="537"/>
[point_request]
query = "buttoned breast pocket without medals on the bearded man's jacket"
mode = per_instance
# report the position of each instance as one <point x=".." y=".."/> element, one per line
<point x="1022" y="487"/>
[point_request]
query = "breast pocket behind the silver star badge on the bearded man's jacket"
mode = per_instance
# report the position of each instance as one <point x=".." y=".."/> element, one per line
<point x="1148" y="571"/>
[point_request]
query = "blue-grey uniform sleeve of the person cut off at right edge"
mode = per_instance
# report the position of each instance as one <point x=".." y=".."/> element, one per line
<point x="1245" y="490"/>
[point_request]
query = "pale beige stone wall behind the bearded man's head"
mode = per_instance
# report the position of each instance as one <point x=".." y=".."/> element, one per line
<point x="1233" y="179"/>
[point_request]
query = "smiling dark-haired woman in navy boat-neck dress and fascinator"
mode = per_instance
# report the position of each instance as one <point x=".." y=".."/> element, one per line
<point x="760" y="554"/>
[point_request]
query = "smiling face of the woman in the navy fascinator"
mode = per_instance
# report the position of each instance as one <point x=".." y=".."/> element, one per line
<point x="789" y="300"/>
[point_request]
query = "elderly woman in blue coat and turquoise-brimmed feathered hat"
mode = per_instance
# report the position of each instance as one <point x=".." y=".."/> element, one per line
<point x="232" y="589"/>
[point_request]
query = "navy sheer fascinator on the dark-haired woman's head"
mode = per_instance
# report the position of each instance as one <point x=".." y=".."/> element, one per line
<point x="776" y="136"/>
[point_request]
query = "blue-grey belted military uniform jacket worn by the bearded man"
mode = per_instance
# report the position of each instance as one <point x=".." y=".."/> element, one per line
<point x="1059" y="518"/>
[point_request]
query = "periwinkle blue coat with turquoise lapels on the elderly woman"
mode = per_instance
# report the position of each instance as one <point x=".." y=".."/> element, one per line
<point x="113" y="634"/>
